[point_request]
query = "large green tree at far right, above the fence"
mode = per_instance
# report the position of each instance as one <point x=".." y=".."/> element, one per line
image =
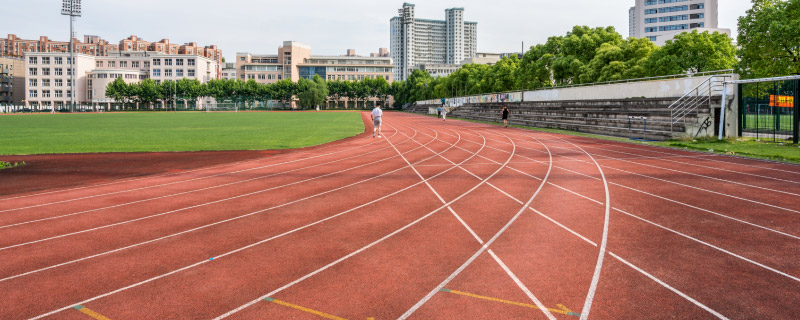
<point x="769" y="39"/>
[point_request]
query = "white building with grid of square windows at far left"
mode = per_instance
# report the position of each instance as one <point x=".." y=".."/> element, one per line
<point x="49" y="77"/>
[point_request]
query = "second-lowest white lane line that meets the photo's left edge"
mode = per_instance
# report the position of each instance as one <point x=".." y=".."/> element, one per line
<point x="187" y="208"/>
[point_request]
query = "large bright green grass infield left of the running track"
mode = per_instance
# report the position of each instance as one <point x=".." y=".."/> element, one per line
<point x="169" y="131"/>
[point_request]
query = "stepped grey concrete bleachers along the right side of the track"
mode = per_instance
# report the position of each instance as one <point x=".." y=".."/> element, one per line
<point x="606" y="117"/>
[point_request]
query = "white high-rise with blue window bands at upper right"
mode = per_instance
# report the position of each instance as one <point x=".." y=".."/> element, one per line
<point x="661" y="20"/>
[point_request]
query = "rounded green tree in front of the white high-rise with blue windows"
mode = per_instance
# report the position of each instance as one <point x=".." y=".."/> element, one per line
<point x="692" y="52"/>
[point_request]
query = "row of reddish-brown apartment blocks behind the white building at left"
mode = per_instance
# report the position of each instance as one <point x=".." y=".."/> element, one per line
<point x="96" y="46"/>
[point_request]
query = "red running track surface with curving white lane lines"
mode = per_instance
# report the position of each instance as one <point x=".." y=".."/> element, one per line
<point x="435" y="220"/>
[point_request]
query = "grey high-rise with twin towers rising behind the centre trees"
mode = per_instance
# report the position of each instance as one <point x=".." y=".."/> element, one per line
<point x="416" y="41"/>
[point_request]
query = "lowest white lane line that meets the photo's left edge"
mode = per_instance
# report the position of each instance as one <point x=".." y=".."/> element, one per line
<point x="215" y="223"/>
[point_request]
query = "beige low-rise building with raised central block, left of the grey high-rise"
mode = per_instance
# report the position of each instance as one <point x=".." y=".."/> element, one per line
<point x="294" y="61"/>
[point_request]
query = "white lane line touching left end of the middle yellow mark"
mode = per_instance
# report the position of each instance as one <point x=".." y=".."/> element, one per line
<point x="242" y="307"/>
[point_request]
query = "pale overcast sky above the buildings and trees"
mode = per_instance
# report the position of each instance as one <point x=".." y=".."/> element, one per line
<point x="330" y="27"/>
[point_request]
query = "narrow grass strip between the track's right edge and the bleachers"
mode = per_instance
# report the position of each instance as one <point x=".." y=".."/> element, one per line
<point x="745" y="147"/>
